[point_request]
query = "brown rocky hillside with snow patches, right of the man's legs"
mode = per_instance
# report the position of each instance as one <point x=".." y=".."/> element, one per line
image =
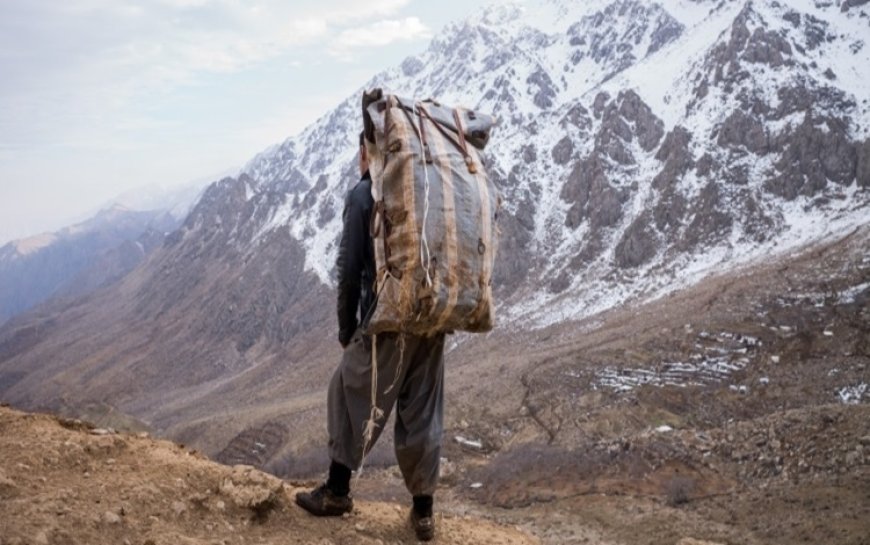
<point x="734" y="412"/>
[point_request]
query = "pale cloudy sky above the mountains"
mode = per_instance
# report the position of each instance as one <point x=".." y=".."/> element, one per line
<point x="104" y="97"/>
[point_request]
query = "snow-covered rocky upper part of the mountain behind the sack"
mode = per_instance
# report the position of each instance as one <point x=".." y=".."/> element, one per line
<point x="641" y="145"/>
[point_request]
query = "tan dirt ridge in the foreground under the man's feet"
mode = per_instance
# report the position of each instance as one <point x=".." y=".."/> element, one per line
<point x="63" y="482"/>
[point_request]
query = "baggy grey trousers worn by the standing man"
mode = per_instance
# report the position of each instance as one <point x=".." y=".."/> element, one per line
<point x="417" y="391"/>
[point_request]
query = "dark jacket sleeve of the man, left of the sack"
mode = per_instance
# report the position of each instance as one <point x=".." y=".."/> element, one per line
<point x="356" y="260"/>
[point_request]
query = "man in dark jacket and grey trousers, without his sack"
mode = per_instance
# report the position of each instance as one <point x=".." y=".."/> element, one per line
<point x="410" y="375"/>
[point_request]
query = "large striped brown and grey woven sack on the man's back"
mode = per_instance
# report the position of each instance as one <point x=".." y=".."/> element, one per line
<point x="434" y="221"/>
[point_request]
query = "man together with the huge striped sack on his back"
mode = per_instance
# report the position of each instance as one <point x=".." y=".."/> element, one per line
<point x="415" y="261"/>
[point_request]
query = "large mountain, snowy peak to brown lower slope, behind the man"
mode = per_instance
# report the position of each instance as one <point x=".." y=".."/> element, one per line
<point x="641" y="147"/>
